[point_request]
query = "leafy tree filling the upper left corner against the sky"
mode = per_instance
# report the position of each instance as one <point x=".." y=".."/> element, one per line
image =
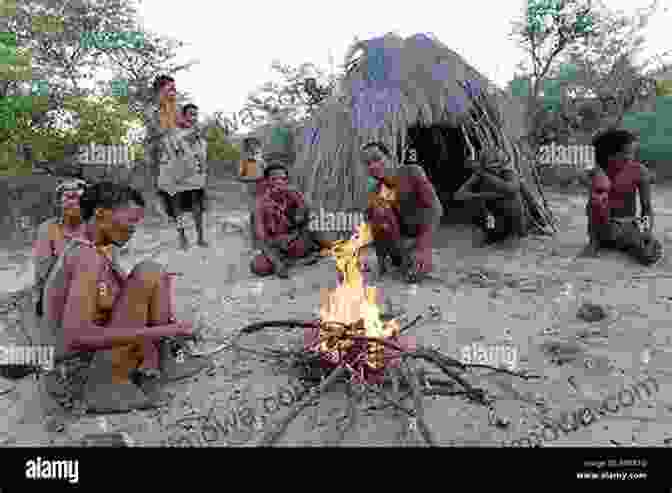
<point x="60" y="56"/>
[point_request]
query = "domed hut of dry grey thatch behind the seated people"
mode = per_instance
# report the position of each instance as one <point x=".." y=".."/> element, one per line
<point x="428" y="96"/>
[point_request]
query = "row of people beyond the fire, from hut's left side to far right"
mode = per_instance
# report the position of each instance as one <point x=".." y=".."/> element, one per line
<point x="404" y="210"/>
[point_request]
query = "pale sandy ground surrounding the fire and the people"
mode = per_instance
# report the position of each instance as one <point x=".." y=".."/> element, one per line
<point x="513" y="303"/>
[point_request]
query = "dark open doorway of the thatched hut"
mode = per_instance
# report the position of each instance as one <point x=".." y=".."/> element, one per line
<point x="442" y="151"/>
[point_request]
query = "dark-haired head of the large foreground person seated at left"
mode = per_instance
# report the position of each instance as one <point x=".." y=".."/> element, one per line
<point x="116" y="210"/>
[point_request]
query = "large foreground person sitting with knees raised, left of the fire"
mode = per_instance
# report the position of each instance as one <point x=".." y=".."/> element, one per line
<point x="94" y="305"/>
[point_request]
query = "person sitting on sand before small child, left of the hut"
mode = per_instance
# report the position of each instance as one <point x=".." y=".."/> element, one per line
<point x="281" y="225"/>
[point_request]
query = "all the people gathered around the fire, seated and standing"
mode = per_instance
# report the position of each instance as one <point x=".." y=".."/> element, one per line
<point x="87" y="302"/>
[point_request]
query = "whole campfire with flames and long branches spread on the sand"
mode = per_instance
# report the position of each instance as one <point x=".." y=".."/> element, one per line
<point x="352" y="342"/>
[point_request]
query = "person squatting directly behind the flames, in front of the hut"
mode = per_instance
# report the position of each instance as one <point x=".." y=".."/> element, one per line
<point x="404" y="211"/>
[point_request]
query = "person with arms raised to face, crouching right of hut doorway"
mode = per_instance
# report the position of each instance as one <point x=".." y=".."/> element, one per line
<point x="496" y="188"/>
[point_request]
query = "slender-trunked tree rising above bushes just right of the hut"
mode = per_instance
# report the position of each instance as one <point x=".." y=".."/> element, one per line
<point x="547" y="29"/>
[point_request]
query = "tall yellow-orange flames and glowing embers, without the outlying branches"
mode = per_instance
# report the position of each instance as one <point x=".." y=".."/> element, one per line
<point x="351" y="310"/>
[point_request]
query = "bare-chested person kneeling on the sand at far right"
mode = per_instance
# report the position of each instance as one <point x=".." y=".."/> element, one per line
<point x="612" y="207"/>
